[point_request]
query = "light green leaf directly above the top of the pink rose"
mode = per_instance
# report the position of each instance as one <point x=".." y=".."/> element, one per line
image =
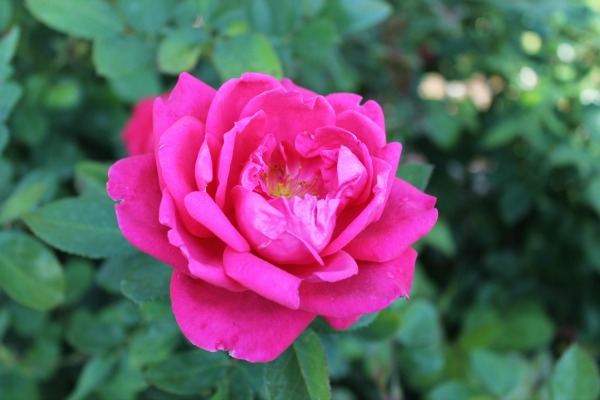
<point x="246" y="53"/>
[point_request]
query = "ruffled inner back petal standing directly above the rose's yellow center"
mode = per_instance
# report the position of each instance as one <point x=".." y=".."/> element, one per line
<point x="288" y="114"/>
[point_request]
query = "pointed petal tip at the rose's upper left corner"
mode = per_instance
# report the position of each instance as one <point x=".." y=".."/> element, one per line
<point x="192" y="97"/>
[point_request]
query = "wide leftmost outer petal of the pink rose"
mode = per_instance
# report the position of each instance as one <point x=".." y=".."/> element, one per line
<point x="134" y="181"/>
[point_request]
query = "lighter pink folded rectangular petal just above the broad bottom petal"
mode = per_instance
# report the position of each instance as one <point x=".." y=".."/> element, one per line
<point x="262" y="277"/>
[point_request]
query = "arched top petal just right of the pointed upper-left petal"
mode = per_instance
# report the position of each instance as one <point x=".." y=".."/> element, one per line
<point x="232" y="97"/>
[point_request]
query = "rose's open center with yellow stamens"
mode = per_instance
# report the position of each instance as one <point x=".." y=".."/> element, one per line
<point x="281" y="183"/>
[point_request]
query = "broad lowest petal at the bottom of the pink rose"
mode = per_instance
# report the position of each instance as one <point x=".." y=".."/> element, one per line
<point x="249" y="326"/>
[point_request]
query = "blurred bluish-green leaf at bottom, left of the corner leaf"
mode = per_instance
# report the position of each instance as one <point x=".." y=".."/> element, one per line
<point x="498" y="374"/>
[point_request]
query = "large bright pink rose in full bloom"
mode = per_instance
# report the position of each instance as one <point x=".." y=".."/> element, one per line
<point x="273" y="205"/>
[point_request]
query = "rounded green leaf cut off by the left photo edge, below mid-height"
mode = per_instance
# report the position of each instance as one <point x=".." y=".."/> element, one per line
<point x="29" y="272"/>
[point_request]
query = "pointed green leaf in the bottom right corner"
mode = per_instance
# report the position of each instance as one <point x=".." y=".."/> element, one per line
<point x="575" y="376"/>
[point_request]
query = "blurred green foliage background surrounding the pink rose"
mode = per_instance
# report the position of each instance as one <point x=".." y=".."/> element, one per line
<point x="496" y="103"/>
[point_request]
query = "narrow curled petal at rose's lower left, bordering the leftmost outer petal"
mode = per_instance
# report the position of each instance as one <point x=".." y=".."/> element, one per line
<point x="204" y="256"/>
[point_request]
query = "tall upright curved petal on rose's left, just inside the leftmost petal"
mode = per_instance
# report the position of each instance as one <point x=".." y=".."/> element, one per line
<point x="177" y="154"/>
